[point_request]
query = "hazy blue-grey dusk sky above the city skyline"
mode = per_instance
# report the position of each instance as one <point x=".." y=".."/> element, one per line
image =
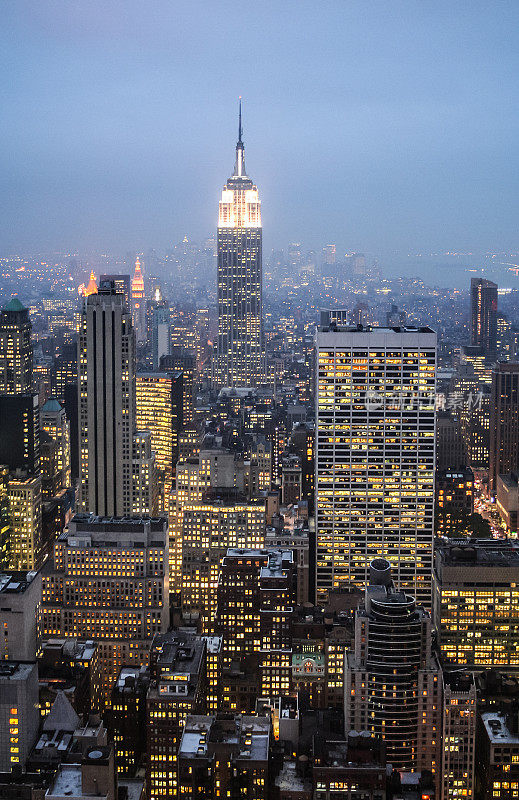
<point x="376" y="124"/>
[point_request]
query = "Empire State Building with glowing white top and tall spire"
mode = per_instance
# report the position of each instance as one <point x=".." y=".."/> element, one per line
<point x="240" y="352"/>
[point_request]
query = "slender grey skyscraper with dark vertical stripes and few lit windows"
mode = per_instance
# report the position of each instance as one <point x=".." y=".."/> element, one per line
<point x="106" y="386"/>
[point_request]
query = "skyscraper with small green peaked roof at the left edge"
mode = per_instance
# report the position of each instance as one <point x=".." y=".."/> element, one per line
<point x="15" y="349"/>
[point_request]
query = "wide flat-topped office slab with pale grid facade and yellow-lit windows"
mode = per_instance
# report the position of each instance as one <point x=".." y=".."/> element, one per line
<point x="375" y="455"/>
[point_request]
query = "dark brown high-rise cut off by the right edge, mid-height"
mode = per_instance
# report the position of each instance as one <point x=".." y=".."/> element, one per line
<point x="504" y="422"/>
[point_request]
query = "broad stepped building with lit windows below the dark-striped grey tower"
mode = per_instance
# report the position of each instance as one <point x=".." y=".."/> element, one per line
<point x="108" y="580"/>
